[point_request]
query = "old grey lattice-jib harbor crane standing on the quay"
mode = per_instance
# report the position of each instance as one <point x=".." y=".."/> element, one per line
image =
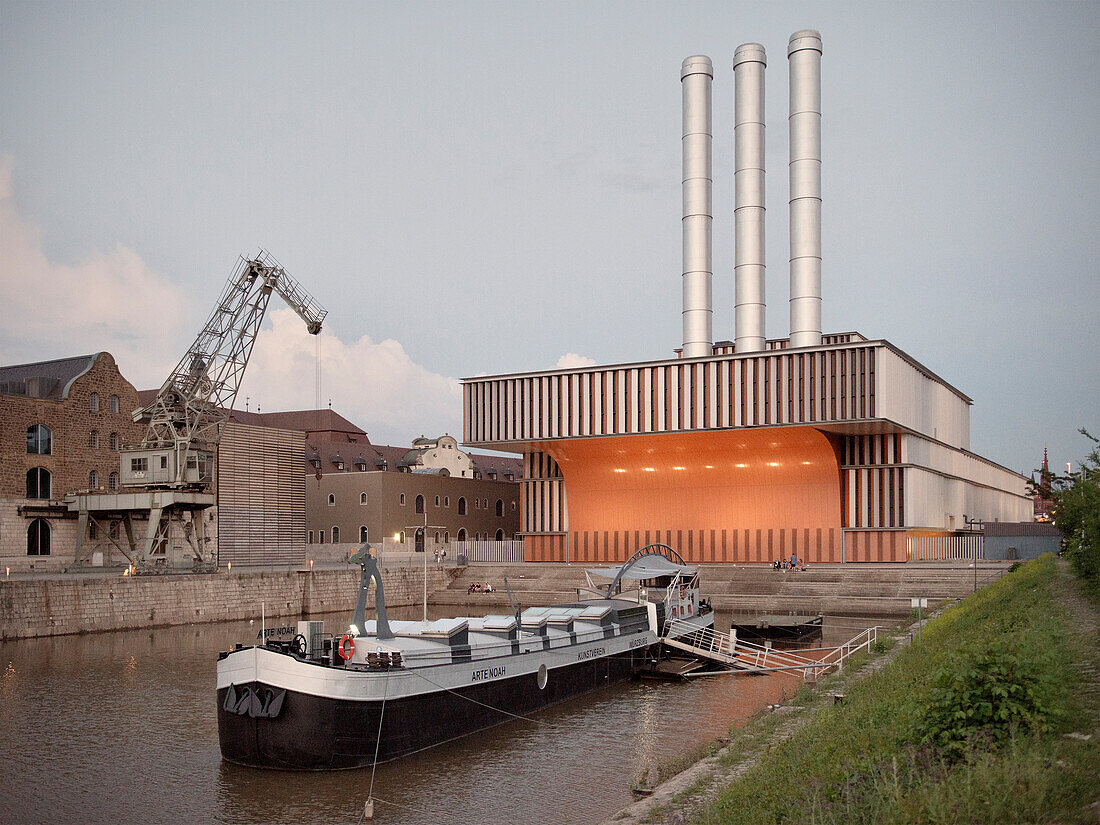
<point x="170" y="476"/>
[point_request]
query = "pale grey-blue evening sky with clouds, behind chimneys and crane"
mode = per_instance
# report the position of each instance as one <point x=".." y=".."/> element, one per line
<point x="490" y="188"/>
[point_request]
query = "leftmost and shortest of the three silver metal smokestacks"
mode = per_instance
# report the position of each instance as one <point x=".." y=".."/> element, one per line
<point x="696" y="76"/>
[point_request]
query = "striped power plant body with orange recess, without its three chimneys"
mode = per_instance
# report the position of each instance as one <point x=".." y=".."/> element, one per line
<point x="830" y="454"/>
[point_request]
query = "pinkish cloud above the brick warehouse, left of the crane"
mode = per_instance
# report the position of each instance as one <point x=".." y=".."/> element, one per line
<point x="109" y="301"/>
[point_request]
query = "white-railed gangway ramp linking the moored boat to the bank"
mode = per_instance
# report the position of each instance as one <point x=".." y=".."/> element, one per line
<point x="743" y="657"/>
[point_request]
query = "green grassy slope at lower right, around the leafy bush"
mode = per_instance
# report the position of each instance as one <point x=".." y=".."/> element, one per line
<point x="860" y="763"/>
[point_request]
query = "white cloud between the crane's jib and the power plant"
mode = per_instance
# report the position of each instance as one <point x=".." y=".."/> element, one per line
<point x="375" y="386"/>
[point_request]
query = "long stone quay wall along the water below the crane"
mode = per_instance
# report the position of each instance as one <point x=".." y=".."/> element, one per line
<point x="59" y="607"/>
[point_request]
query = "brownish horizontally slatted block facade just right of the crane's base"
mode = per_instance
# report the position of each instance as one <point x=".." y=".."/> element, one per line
<point x="261" y="497"/>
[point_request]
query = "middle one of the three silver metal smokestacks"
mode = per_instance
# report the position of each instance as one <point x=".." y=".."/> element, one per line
<point x="750" y="63"/>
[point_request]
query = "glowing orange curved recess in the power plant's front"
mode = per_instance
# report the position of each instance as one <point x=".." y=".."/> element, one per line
<point x="738" y="496"/>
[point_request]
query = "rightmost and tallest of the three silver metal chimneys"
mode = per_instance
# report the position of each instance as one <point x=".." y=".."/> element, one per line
<point x="805" y="54"/>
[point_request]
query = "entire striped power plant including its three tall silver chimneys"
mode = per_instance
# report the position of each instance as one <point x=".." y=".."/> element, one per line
<point x="827" y="447"/>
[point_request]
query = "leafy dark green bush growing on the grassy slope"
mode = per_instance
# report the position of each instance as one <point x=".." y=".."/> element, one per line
<point x="981" y="698"/>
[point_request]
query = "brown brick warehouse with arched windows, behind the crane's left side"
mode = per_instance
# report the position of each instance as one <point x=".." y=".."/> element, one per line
<point x="61" y="426"/>
